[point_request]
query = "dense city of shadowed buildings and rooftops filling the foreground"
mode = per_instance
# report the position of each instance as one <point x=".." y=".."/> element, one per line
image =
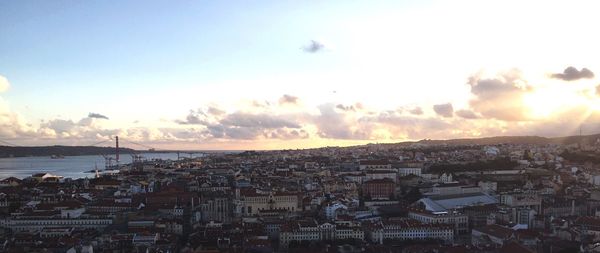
<point x="426" y="196"/>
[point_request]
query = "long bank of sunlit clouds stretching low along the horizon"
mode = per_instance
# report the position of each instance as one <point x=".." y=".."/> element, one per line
<point x="253" y="123"/>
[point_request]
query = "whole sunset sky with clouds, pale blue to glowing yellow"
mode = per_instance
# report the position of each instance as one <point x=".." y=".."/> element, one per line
<point x="295" y="74"/>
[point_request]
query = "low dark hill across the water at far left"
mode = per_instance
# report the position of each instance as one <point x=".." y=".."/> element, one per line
<point x="6" y="151"/>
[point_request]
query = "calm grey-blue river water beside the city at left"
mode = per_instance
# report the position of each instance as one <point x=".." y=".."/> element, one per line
<point x="69" y="166"/>
